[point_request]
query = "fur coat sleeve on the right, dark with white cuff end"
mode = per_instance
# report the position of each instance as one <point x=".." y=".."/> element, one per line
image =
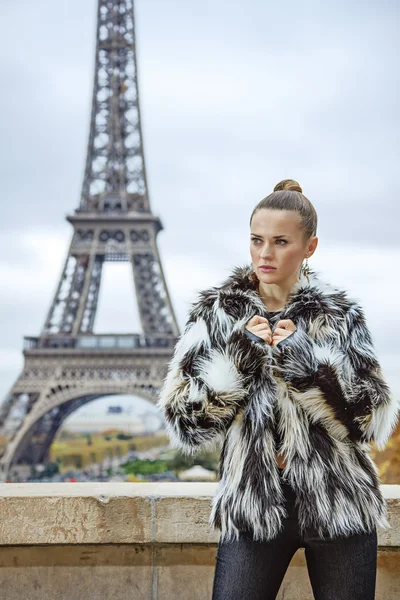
<point x="346" y="370"/>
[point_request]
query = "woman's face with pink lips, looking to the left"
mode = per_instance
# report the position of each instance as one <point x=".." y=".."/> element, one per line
<point x="276" y="239"/>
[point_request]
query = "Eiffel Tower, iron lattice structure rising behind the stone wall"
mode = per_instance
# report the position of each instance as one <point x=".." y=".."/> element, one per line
<point x="69" y="365"/>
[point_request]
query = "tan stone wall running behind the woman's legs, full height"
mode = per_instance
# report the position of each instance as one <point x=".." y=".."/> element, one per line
<point x="147" y="541"/>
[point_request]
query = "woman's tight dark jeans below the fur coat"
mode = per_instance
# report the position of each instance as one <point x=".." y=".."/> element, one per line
<point x="341" y="568"/>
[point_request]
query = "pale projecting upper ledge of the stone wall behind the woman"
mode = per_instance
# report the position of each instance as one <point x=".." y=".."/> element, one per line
<point x="124" y="513"/>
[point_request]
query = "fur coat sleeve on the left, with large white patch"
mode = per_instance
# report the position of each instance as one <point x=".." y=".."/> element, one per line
<point x="208" y="377"/>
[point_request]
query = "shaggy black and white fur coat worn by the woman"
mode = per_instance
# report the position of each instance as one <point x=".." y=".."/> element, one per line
<point x="322" y="387"/>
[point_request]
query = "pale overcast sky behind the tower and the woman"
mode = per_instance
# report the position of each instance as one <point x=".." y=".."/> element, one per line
<point x="234" y="97"/>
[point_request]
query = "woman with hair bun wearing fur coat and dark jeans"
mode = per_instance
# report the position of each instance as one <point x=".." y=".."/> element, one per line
<point x="279" y="366"/>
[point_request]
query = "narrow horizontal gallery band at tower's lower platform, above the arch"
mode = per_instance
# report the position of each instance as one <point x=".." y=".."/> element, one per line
<point x="99" y="342"/>
